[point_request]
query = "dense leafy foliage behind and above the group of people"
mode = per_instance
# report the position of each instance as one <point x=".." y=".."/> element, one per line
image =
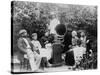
<point x="34" y="17"/>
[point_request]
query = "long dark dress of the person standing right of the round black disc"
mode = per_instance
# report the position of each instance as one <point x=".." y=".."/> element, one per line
<point x="69" y="59"/>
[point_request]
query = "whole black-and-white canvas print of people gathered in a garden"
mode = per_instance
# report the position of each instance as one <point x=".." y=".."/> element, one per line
<point x="53" y="37"/>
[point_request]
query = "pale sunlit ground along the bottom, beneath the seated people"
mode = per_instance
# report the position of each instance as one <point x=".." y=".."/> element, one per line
<point x="49" y="69"/>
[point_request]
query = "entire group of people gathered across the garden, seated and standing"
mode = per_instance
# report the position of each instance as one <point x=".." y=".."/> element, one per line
<point x="73" y="47"/>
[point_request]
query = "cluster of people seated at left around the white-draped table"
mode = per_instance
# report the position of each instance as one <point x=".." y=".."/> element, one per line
<point x="32" y="49"/>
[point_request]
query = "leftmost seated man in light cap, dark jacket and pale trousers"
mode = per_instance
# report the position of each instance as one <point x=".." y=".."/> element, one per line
<point x="26" y="47"/>
